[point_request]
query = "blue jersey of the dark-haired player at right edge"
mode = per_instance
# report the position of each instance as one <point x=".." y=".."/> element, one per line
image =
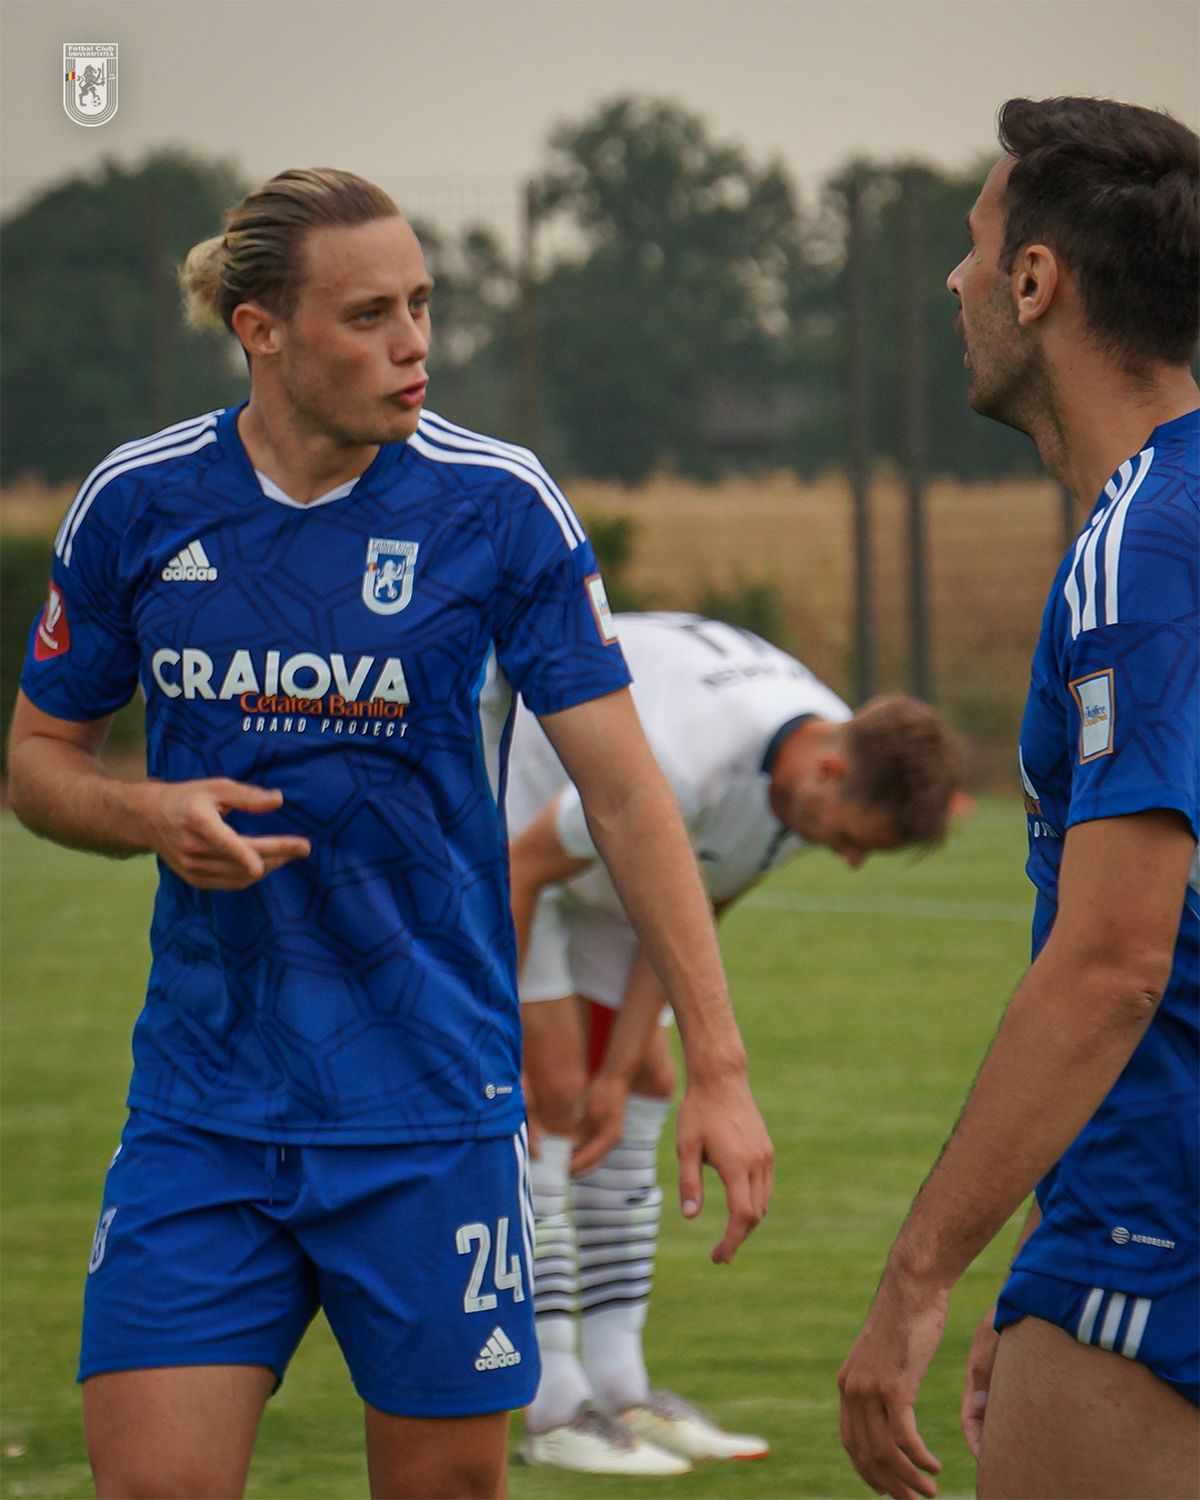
<point x="1112" y="727"/>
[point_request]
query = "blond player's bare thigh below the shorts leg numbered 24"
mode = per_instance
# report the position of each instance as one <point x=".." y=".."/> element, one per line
<point x="437" y="1459"/>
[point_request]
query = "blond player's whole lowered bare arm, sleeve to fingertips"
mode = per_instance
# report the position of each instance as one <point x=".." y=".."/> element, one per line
<point x="637" y="827"/>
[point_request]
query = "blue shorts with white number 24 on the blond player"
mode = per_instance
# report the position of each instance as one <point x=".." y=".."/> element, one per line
<point x="212" y="1250"/>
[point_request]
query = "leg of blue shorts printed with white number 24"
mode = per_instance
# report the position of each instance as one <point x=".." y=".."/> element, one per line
<point x="424" y="1258"/>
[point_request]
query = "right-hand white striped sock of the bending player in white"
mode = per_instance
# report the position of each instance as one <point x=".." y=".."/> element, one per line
<point x="617" y="1210"/>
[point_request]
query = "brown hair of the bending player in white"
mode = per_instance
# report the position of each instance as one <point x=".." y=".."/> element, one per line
<point x="905" y="761"/>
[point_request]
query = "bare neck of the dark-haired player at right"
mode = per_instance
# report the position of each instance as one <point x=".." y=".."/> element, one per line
<point x="1102" y="416"/>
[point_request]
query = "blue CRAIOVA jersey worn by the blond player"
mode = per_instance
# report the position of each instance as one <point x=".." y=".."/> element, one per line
<point x="335" y="652"/>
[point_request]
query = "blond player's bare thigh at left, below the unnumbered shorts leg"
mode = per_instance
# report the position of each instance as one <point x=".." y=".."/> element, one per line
<point x="184" y="1433"/>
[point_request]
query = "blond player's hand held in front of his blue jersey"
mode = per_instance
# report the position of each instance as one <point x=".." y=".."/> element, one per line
<point x="193" y="838"/>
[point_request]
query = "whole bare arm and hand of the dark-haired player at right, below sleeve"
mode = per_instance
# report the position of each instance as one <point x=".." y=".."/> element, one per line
<point x="1070" y="1030"/>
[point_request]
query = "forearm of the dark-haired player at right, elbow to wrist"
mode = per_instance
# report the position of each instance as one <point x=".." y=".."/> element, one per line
<point x="1069" y="1033"/>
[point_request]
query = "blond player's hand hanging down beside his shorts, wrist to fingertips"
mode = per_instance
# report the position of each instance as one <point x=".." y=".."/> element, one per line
<point x="721" y="1126"/>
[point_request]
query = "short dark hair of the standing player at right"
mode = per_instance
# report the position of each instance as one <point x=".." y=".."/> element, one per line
<point x="1112" y="190"/>
